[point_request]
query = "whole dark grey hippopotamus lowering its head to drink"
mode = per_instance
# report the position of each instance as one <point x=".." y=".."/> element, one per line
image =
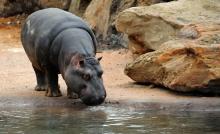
<point x="59" y="42"/>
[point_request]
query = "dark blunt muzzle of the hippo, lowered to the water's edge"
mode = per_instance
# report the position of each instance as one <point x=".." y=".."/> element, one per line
<point x="93" y="99"/>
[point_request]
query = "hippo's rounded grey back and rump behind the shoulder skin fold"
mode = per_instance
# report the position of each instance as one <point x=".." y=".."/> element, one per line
<point x="42" y="27"/>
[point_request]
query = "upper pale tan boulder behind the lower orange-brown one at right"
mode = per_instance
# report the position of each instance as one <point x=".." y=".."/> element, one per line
<point x="150" y="26"/>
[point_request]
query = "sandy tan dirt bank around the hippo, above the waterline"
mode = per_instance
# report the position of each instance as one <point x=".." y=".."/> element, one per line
<point x="17" y="81"/>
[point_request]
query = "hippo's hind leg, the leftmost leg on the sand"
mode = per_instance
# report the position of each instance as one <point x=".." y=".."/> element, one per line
<point x="41" y="80"/>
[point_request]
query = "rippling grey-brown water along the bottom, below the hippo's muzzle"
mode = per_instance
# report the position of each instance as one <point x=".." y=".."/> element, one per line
<point x="105" y="120"/>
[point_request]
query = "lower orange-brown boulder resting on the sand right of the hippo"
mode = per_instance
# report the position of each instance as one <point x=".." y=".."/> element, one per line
<point x="181" y="66"/>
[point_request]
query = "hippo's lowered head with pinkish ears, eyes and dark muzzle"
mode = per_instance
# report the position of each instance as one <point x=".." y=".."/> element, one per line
<point x="83" y="76"/>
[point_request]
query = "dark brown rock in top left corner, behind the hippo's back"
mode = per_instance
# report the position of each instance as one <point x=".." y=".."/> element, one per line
<point x="13" y="7"/>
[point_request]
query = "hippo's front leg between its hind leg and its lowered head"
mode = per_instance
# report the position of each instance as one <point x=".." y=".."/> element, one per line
<point x="53" y="89"/>
